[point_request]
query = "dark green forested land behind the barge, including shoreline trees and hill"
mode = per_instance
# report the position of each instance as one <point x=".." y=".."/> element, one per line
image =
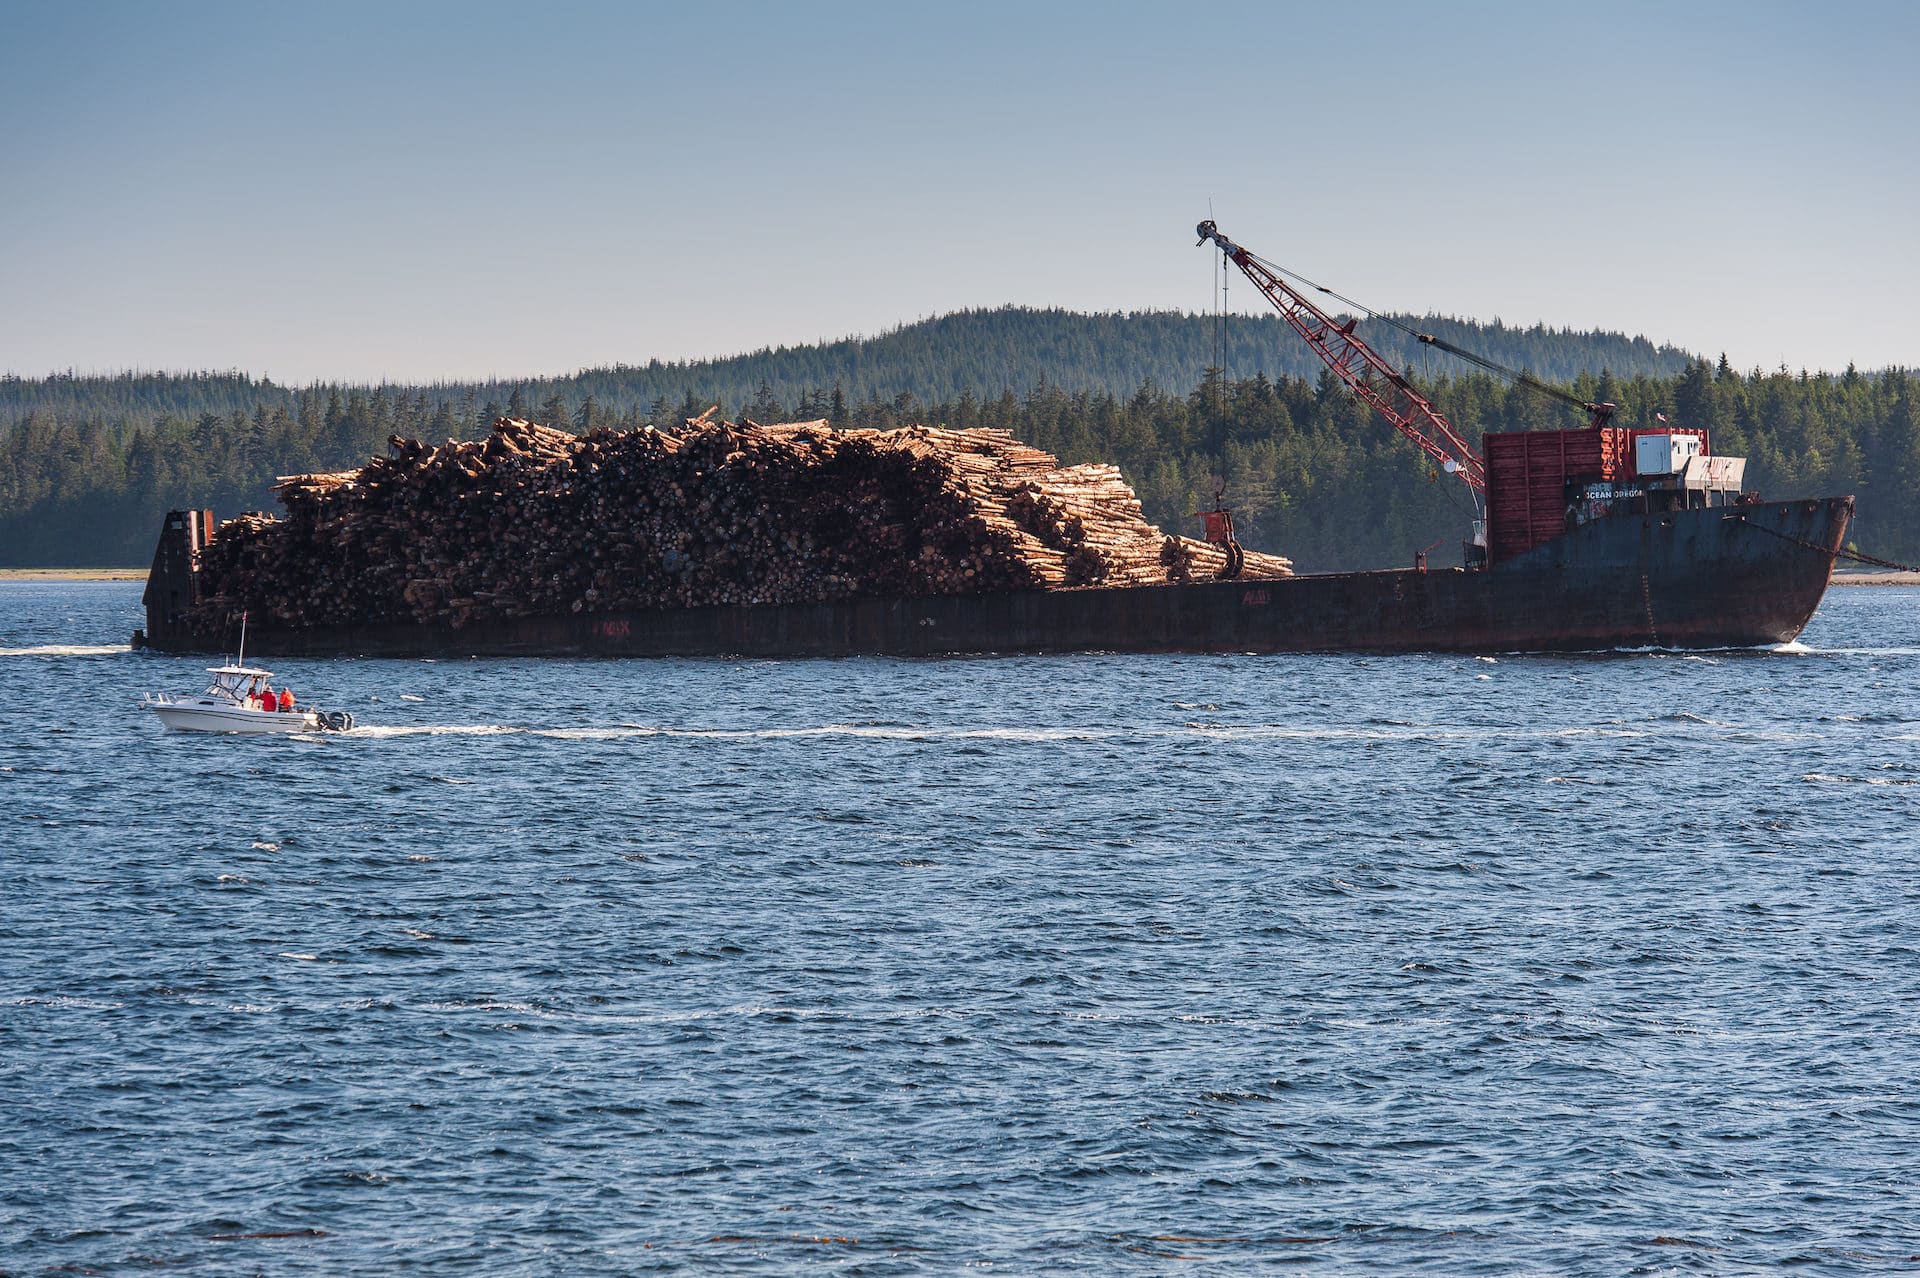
<point x="89" y="465"/>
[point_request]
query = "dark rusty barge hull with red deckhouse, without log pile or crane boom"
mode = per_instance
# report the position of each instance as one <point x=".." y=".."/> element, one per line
<point x="1583" y="554"/>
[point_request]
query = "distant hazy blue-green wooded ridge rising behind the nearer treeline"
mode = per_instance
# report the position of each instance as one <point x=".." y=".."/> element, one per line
<point x="980" y="352"/>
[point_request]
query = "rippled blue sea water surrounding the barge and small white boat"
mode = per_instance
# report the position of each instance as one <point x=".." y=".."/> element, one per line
<point x="1082" y="964"/>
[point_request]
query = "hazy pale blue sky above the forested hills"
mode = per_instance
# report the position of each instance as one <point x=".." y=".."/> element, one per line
<point x="446" y="191"/>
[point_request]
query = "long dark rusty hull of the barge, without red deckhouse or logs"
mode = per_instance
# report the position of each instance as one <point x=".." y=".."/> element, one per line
<point x="1700" y="579"/>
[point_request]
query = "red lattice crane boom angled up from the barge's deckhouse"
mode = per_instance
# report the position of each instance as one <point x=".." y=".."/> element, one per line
<point x="1356" y="364"/>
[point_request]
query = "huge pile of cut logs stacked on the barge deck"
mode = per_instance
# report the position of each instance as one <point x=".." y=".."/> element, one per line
<point x="537" y="521"/>
